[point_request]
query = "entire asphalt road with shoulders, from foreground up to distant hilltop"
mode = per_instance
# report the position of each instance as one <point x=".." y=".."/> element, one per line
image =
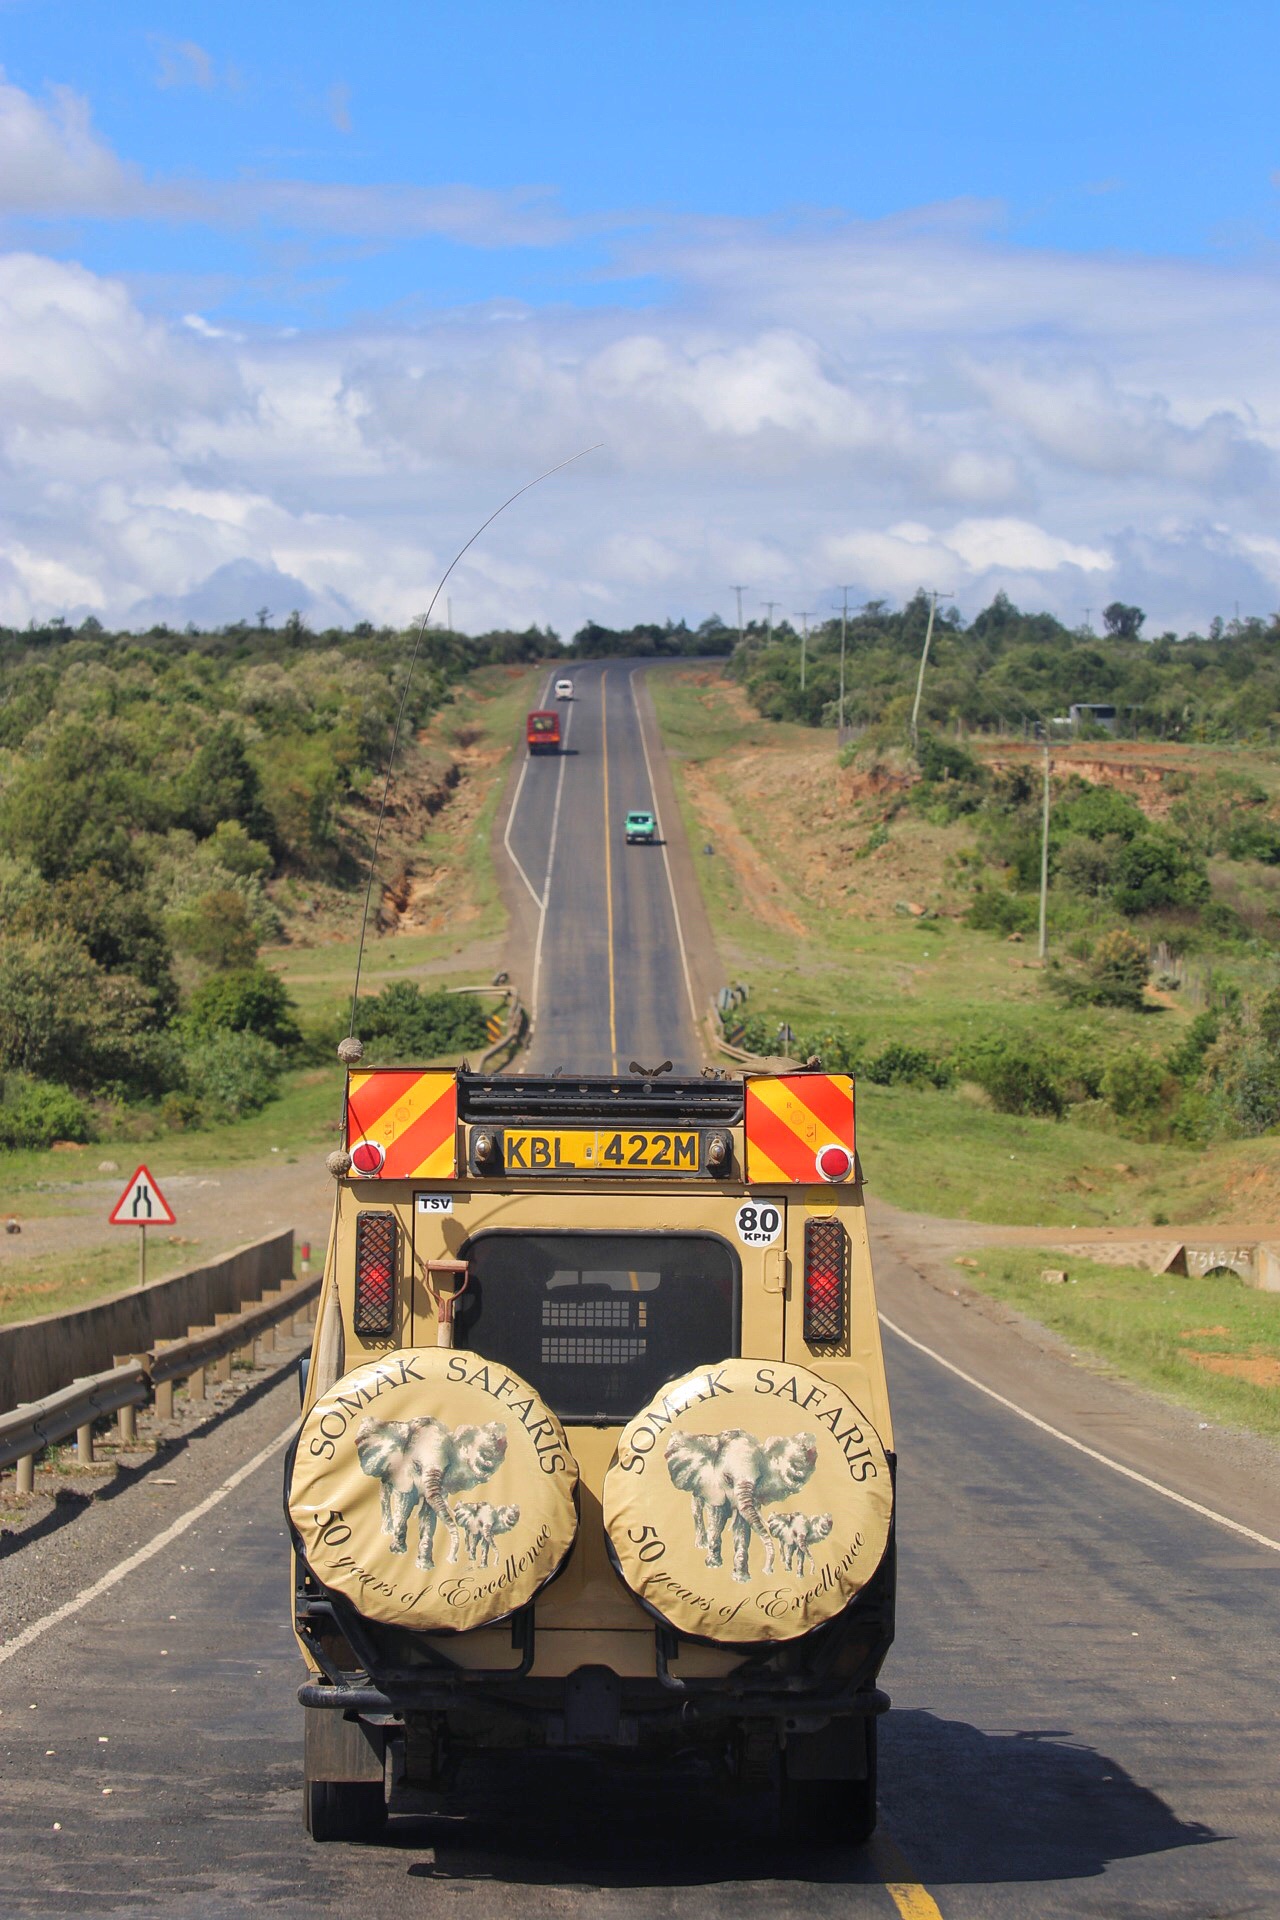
<point x="1087" y="1719"/>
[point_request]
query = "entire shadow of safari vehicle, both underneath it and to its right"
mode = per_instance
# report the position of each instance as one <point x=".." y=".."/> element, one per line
<point x="964" y="1806"/>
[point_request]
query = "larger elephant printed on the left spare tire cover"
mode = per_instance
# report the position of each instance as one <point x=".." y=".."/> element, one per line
<point x="421" y="1464"/>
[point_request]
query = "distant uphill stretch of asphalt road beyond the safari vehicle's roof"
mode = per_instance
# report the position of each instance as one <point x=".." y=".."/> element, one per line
<point x="609" y="982"/>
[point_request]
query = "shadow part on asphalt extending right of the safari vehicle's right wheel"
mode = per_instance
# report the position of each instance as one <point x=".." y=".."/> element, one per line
<point x="1031" y="1806"/>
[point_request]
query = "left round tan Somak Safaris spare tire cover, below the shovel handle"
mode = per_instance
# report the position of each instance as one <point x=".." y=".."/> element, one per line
<point x="435" y="1491"/>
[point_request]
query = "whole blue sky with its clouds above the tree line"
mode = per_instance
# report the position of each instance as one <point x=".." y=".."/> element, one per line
<point x="841" y="287"/>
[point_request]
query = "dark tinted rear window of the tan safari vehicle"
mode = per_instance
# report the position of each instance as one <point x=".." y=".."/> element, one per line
<point x="600" y="1322"/>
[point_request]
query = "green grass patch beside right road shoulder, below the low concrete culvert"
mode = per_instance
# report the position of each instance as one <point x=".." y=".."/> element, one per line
<point x="1212" y="1343"/>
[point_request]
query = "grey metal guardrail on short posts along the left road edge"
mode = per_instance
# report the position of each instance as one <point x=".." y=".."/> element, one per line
<point x="143" y="1378"/>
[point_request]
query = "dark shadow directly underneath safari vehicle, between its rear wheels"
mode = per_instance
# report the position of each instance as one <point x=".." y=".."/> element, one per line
<point x="534" y="1821"/>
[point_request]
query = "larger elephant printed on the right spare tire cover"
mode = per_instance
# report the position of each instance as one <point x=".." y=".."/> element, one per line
<point x="732" y="1476"/>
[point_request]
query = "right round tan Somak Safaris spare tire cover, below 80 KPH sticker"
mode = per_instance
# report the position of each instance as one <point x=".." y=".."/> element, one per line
<point x="747" y="1502"/>
